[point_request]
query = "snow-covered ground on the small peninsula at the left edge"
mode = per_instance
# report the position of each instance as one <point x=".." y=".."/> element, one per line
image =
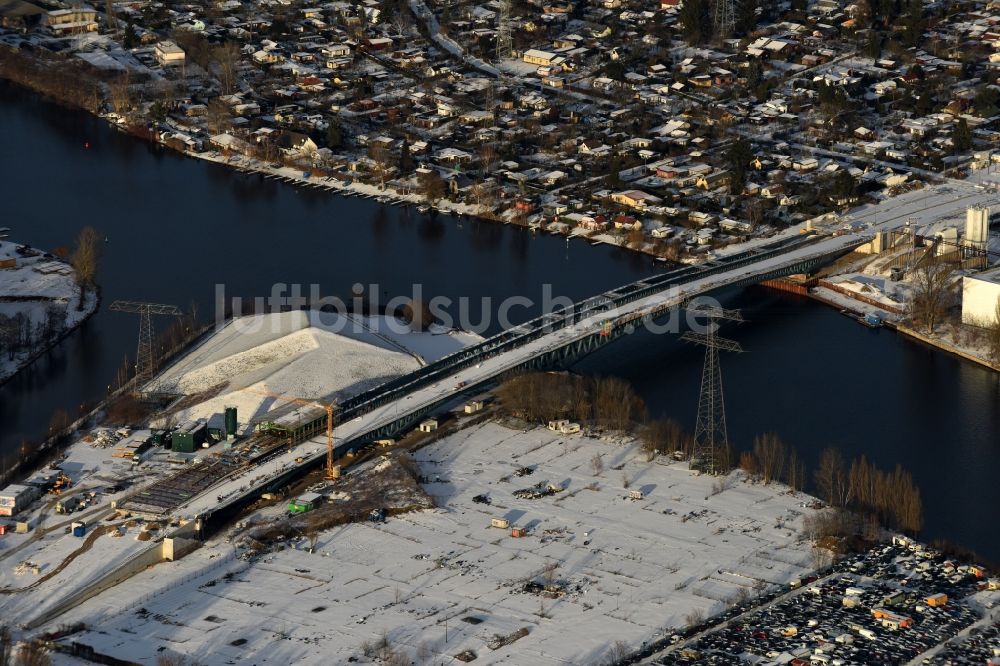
<point x="41" y="289"/>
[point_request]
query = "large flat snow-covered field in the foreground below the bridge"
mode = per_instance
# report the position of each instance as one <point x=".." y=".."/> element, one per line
<point x="442" y="581"/>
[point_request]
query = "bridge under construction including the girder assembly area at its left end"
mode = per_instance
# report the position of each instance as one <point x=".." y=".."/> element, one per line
<point x="553" y="340"/>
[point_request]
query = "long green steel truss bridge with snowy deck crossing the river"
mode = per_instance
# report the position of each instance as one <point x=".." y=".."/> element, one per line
<point x="552" y="340"/>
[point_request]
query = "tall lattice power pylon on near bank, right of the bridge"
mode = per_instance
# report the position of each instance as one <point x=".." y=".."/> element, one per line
<point x="710" y="435"/>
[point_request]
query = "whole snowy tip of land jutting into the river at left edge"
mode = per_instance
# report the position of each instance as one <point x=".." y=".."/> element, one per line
<point x="40" y="305"/>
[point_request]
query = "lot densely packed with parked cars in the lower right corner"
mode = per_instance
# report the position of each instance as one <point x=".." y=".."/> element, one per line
<point x="876" y="608"/>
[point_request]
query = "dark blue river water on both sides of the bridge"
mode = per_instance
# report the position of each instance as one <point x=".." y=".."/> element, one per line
<point x="176" y="228"/>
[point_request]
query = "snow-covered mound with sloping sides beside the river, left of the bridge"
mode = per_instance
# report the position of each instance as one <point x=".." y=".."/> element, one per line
<point x="299" y="355"/>
